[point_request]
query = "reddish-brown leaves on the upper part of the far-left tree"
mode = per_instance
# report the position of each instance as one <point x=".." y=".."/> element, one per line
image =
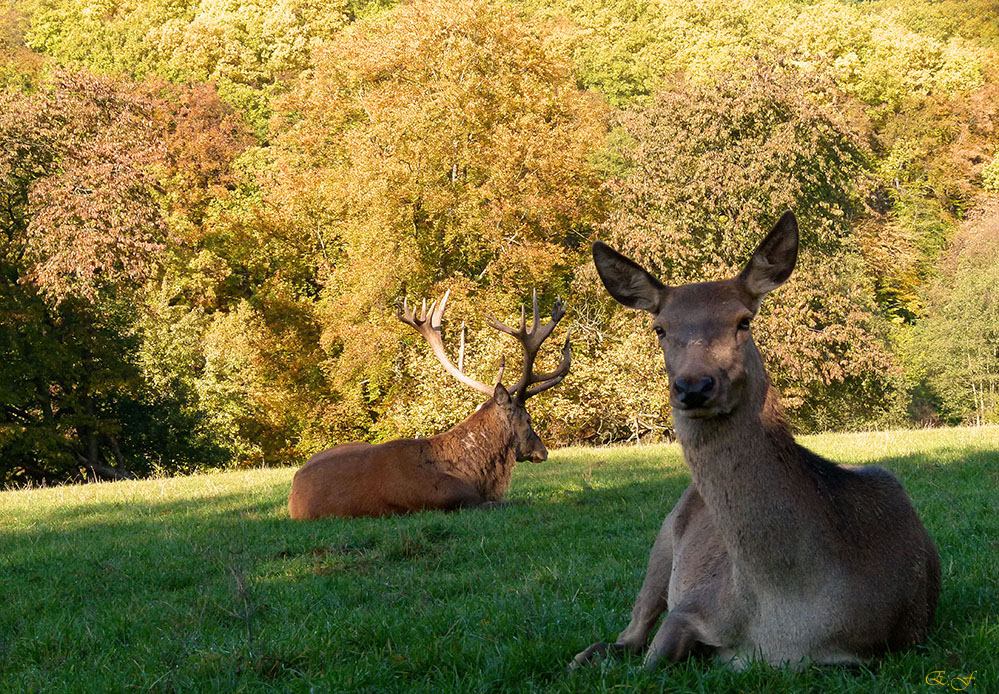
<point x="101" y="165"/>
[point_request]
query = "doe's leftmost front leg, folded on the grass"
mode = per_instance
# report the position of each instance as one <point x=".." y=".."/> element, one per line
<point x="650" y="604"/>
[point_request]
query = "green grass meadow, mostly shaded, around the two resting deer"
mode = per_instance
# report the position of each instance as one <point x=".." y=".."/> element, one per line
<point x="204" y="584"/>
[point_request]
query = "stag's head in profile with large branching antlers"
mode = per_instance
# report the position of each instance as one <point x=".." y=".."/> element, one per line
<point x="509" y="403"/>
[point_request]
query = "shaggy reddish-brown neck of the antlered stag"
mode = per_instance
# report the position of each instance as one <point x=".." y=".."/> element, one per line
<point x="479" y="450"/>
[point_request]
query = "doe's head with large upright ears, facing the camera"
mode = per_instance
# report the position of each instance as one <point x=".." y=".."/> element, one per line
<point x="705" y="329"/>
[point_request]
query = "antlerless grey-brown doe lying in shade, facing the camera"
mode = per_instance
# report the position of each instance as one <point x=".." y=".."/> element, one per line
<point x="772" y="553"/>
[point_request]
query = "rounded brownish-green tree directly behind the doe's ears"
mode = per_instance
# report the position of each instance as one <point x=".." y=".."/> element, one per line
<point x="713" y="166"/>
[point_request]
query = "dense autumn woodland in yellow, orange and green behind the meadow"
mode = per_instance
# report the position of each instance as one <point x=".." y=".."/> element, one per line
<point x="209" y="211"/>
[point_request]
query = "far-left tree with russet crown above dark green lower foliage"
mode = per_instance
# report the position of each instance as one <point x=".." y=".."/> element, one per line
<point x="99" y="184"/>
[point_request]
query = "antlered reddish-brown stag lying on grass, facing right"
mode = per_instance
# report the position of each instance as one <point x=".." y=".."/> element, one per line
<point x="470" y="465"/>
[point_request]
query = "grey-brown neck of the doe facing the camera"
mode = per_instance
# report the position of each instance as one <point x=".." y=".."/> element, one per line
<point x="756" y="484"/>
